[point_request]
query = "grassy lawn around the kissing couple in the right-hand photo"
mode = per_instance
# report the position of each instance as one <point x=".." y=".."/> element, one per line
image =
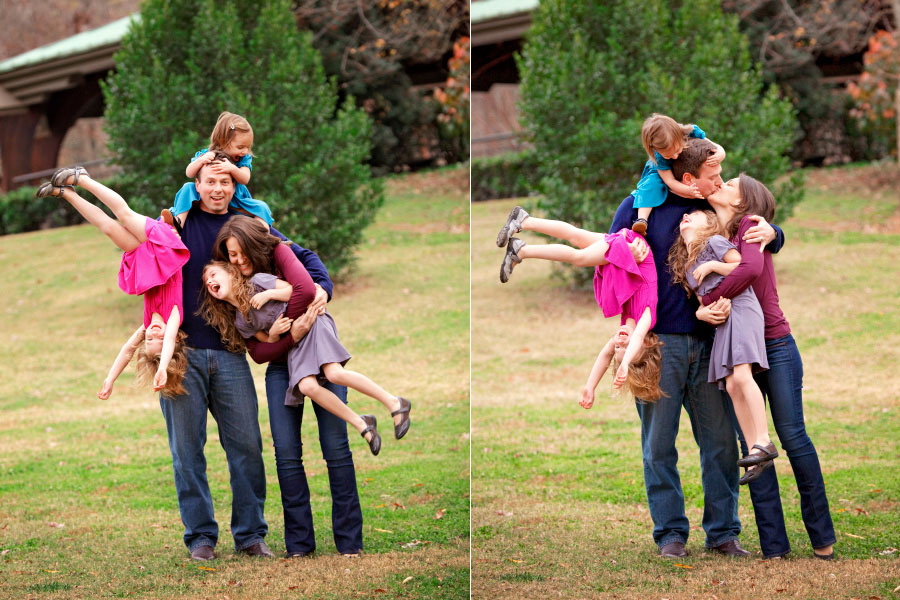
<point x="558" y="502"/>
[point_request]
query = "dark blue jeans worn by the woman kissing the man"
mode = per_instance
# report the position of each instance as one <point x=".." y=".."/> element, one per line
<point x="782" y="386"/>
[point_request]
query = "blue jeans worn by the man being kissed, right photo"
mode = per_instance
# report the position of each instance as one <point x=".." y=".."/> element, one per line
<point x="685" y="366"/>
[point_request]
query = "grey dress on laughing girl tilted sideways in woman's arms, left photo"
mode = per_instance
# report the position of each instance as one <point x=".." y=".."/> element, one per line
<point x="318" y="347"/>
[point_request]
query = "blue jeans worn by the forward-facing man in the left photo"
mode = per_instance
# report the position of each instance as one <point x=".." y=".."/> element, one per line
<point x="220" y="382"/>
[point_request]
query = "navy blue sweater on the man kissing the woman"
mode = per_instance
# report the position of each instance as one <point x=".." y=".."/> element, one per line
<point x="675" y="310"/>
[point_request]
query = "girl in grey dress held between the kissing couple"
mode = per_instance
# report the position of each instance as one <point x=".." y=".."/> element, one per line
<point x="699" y="260"/>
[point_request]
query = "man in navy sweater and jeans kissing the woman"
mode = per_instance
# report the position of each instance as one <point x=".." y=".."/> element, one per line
<point x="685" y="365"/>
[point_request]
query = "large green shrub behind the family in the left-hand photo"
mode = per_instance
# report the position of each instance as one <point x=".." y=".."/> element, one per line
<point x="185" y="61"/>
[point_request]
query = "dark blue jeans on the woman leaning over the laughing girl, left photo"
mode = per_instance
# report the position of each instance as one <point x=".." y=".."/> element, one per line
<point x="285" y="421"/>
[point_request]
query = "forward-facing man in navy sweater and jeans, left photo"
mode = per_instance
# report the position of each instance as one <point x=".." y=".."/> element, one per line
<point x="220" y="382"/>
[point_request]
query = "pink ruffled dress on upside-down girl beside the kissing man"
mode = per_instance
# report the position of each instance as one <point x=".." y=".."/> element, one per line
<point x="622" y="286"/>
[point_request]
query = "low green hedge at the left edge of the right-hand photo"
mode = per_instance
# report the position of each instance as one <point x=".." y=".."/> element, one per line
<point x="510" y="175"/>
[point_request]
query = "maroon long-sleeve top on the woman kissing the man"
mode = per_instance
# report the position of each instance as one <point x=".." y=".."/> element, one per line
<point x="755" y="269"/>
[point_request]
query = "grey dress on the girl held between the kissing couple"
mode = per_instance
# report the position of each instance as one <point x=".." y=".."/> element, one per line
<point x="739" y="340"/>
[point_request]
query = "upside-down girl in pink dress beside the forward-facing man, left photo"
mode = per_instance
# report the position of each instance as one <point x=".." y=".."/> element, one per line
<point x="151" y="265"/>
